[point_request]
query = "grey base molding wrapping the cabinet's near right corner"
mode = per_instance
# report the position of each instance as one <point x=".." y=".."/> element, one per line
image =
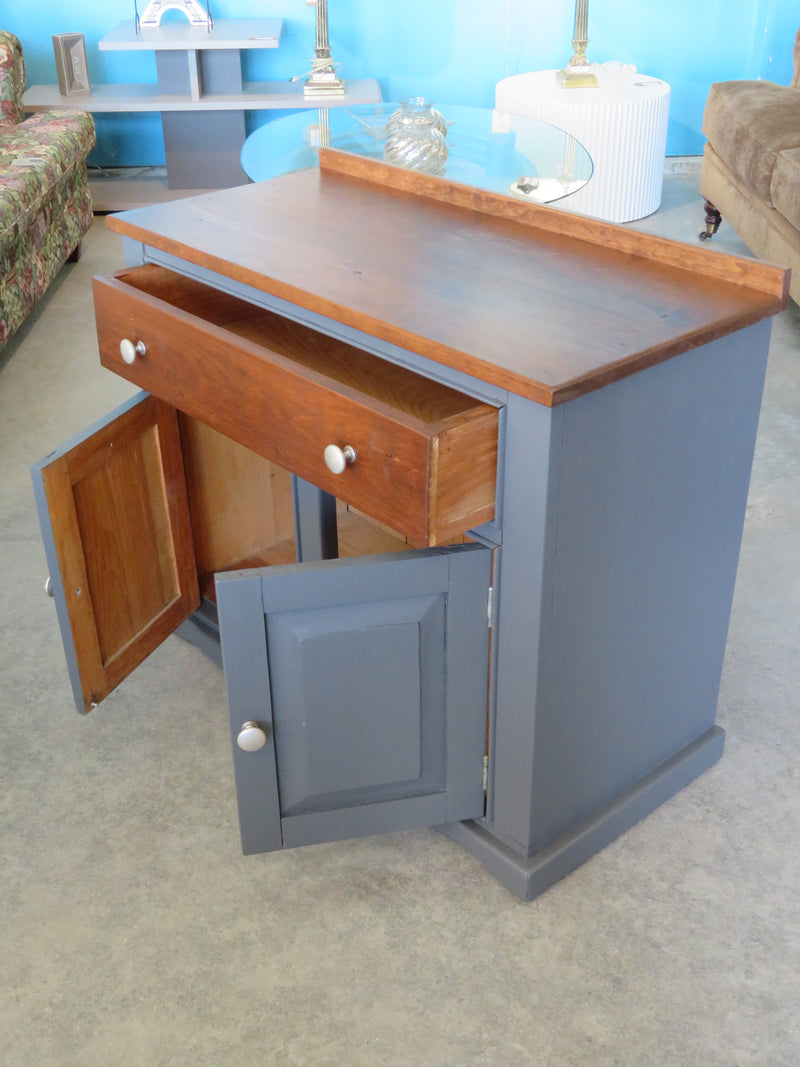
<point x="529" y="878"/>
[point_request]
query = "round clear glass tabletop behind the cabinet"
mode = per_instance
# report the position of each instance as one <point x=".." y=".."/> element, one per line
<point x="492" y="150"/>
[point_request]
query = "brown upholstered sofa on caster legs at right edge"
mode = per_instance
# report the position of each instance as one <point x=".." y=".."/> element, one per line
<point x="751" y="167"/>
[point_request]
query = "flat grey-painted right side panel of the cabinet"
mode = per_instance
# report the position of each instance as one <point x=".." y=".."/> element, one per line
<point x="653" y="488"/>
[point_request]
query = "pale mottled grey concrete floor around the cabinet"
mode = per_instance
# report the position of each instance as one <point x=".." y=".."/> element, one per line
<point x="135" y="933"/>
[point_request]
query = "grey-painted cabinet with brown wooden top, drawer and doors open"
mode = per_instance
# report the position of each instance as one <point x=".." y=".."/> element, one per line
<point x="458" y="484"/>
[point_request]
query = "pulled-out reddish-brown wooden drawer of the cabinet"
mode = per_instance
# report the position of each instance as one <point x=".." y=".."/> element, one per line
<point x="426" y="455"/>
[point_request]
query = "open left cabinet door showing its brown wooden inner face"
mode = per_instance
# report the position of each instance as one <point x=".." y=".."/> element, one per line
<point x="116" y="523"/>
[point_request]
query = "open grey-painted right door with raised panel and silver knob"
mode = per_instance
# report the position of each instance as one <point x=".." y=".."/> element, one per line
<point x="365" y="683"/>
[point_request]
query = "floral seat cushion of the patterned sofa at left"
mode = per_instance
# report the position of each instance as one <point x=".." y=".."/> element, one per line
<point x="35" y="157"/>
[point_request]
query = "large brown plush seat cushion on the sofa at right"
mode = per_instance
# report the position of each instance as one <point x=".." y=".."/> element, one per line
<point x="750" y="124"/>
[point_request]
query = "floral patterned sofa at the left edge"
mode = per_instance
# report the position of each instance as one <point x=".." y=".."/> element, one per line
<point x="45" y="204"/>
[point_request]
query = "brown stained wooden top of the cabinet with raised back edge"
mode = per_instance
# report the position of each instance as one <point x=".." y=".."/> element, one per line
<point x="546" y="304"/>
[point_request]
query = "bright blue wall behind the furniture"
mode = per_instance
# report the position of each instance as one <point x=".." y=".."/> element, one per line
<point x="451" y="51"/>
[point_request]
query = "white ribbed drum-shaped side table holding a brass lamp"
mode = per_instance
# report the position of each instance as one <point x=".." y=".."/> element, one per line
<point x="625" y="131"/>
